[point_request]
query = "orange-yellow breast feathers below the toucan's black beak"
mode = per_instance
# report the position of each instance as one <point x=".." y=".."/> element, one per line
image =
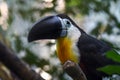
<point x="65" y="50"/>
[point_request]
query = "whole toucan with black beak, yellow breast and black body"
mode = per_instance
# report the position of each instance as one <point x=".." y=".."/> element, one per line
<point x="73" y="44"/>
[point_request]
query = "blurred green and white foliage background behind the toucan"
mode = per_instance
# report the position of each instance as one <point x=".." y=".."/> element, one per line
<point x="99" y="18"/>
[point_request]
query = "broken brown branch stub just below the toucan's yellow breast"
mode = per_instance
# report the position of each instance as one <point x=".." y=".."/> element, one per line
<point x="74" y="71"/>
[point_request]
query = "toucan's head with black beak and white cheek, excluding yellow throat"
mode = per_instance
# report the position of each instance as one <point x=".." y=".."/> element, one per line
<point x="54" y="27"/>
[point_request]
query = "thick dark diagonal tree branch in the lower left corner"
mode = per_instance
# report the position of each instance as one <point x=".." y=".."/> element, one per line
<point x="8" y="58"/>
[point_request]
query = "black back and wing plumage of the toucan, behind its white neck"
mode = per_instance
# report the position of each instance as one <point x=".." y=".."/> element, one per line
<point x="93" y="56"/>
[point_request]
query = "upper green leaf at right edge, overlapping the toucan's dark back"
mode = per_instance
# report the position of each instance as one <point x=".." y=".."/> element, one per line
<point x="112" y="54"/>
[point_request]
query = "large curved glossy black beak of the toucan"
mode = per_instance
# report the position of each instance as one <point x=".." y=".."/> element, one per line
<point x="47" y="28"/>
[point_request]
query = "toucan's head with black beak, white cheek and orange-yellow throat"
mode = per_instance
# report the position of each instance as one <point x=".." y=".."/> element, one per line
<point x="64" y="30"/>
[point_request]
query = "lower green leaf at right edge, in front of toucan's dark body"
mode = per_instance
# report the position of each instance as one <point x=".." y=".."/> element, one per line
<point x="110" y="69"/>
